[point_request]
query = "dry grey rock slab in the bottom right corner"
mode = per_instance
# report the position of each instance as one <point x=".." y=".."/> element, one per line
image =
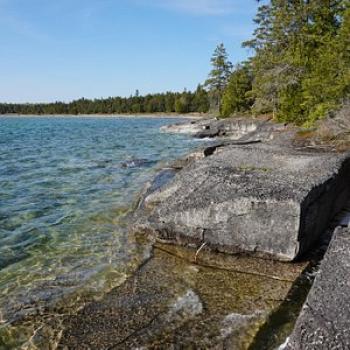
<point x="324" y="322"/>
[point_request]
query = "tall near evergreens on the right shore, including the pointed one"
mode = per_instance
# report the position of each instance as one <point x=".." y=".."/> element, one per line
<point x="300" y="70"/>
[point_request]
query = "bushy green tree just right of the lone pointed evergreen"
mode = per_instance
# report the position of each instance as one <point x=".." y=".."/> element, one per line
<point x="236" y="98"/>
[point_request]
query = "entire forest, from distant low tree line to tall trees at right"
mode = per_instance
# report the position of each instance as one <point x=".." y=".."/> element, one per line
<point x="299" y="72"/>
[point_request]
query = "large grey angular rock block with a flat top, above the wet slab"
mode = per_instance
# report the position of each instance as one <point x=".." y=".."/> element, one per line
<point x="263" y="199"/>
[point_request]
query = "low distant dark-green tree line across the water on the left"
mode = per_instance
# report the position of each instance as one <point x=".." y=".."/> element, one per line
<point x="169" y="102"/>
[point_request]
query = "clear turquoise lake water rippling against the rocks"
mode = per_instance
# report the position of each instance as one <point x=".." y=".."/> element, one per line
<point x="65" y="183"/>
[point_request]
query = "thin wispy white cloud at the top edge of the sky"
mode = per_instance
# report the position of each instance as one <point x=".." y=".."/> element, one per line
<point x="197" y="7"/>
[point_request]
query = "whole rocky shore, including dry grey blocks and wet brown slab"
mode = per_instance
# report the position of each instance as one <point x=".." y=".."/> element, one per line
<point x="257" y="193"/>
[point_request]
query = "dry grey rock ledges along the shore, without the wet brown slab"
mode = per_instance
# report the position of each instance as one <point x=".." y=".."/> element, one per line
<point x="259" y="192"/>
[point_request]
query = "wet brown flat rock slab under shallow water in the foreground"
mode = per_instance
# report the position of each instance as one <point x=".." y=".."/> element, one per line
<point x="218" y="302"/>
